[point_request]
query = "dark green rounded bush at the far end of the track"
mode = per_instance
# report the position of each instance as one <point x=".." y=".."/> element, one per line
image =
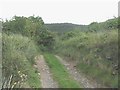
<point x="45" y="39"/>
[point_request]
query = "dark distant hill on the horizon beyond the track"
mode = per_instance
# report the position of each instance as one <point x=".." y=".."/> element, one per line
<point x="64" y="27"/>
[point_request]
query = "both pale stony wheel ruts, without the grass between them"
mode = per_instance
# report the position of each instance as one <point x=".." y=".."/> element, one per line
<point x="46" y="76"/>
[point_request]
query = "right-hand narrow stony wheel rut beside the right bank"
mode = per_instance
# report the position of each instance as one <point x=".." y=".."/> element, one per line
<point x="78" y="76"/>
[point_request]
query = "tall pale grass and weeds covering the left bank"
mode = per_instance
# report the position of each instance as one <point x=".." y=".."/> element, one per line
<point x="18" y="58"/>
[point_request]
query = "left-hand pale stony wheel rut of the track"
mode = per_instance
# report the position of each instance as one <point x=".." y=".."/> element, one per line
<point x="45" y="75"/>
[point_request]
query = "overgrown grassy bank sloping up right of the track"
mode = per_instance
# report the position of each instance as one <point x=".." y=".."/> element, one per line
<point x="95" y="52"/>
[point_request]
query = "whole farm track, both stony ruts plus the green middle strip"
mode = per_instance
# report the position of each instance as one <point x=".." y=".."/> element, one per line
<point x="60" y="73"/>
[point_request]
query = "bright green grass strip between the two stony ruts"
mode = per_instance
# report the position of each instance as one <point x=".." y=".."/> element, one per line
<point x="59" y="72"/>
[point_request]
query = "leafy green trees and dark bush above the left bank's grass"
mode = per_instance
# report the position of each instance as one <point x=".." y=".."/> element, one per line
<point x="32" y="27"/>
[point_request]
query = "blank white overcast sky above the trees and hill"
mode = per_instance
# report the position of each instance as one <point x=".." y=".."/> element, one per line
<point x="60" y="11"/>
